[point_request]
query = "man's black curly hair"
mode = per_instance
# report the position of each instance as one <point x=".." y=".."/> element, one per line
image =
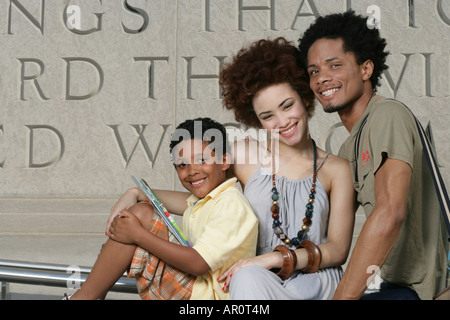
<point x="365" y="43"/>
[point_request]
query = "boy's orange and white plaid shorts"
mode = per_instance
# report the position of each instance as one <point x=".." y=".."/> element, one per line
<point x="155" y="279"/>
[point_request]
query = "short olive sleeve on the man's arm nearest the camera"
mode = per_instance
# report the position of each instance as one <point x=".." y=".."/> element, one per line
<point x="391" y="133"/>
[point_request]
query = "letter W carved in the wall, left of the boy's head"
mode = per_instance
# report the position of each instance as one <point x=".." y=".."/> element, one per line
<point x="139" y="128"/>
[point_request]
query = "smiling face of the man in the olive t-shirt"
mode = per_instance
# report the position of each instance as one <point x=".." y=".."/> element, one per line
<point x="335" y="77"/>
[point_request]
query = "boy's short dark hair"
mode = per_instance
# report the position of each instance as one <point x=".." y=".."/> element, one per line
<point x="205" y="129"/>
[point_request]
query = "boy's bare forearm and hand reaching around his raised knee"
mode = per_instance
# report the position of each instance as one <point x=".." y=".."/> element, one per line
<point x="128" y="229"/>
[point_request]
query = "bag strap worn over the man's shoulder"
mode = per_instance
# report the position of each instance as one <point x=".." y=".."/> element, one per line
<point x="439" y="185"/>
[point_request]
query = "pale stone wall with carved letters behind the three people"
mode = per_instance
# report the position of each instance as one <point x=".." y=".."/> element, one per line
<point x="91" y="90"/>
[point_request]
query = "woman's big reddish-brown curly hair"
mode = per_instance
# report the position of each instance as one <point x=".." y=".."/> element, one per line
<point x="263" y="63"/>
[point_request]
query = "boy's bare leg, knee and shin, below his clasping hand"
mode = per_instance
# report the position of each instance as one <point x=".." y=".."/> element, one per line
<point x="114" y="259"/>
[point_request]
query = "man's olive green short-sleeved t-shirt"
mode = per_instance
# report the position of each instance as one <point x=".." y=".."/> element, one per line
<point x="418" y="259"/>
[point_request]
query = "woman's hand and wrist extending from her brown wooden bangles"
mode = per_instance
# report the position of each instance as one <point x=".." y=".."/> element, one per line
<point x="268" y="261"/>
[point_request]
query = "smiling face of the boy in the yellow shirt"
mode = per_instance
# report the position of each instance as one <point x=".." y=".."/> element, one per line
<point x="198" y="168"/>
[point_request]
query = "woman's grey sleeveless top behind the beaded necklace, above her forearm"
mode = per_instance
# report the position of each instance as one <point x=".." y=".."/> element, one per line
<point x="294" y="195"/>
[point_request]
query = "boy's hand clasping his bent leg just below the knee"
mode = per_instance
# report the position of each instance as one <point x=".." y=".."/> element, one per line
<point x="125" y="228"/>
